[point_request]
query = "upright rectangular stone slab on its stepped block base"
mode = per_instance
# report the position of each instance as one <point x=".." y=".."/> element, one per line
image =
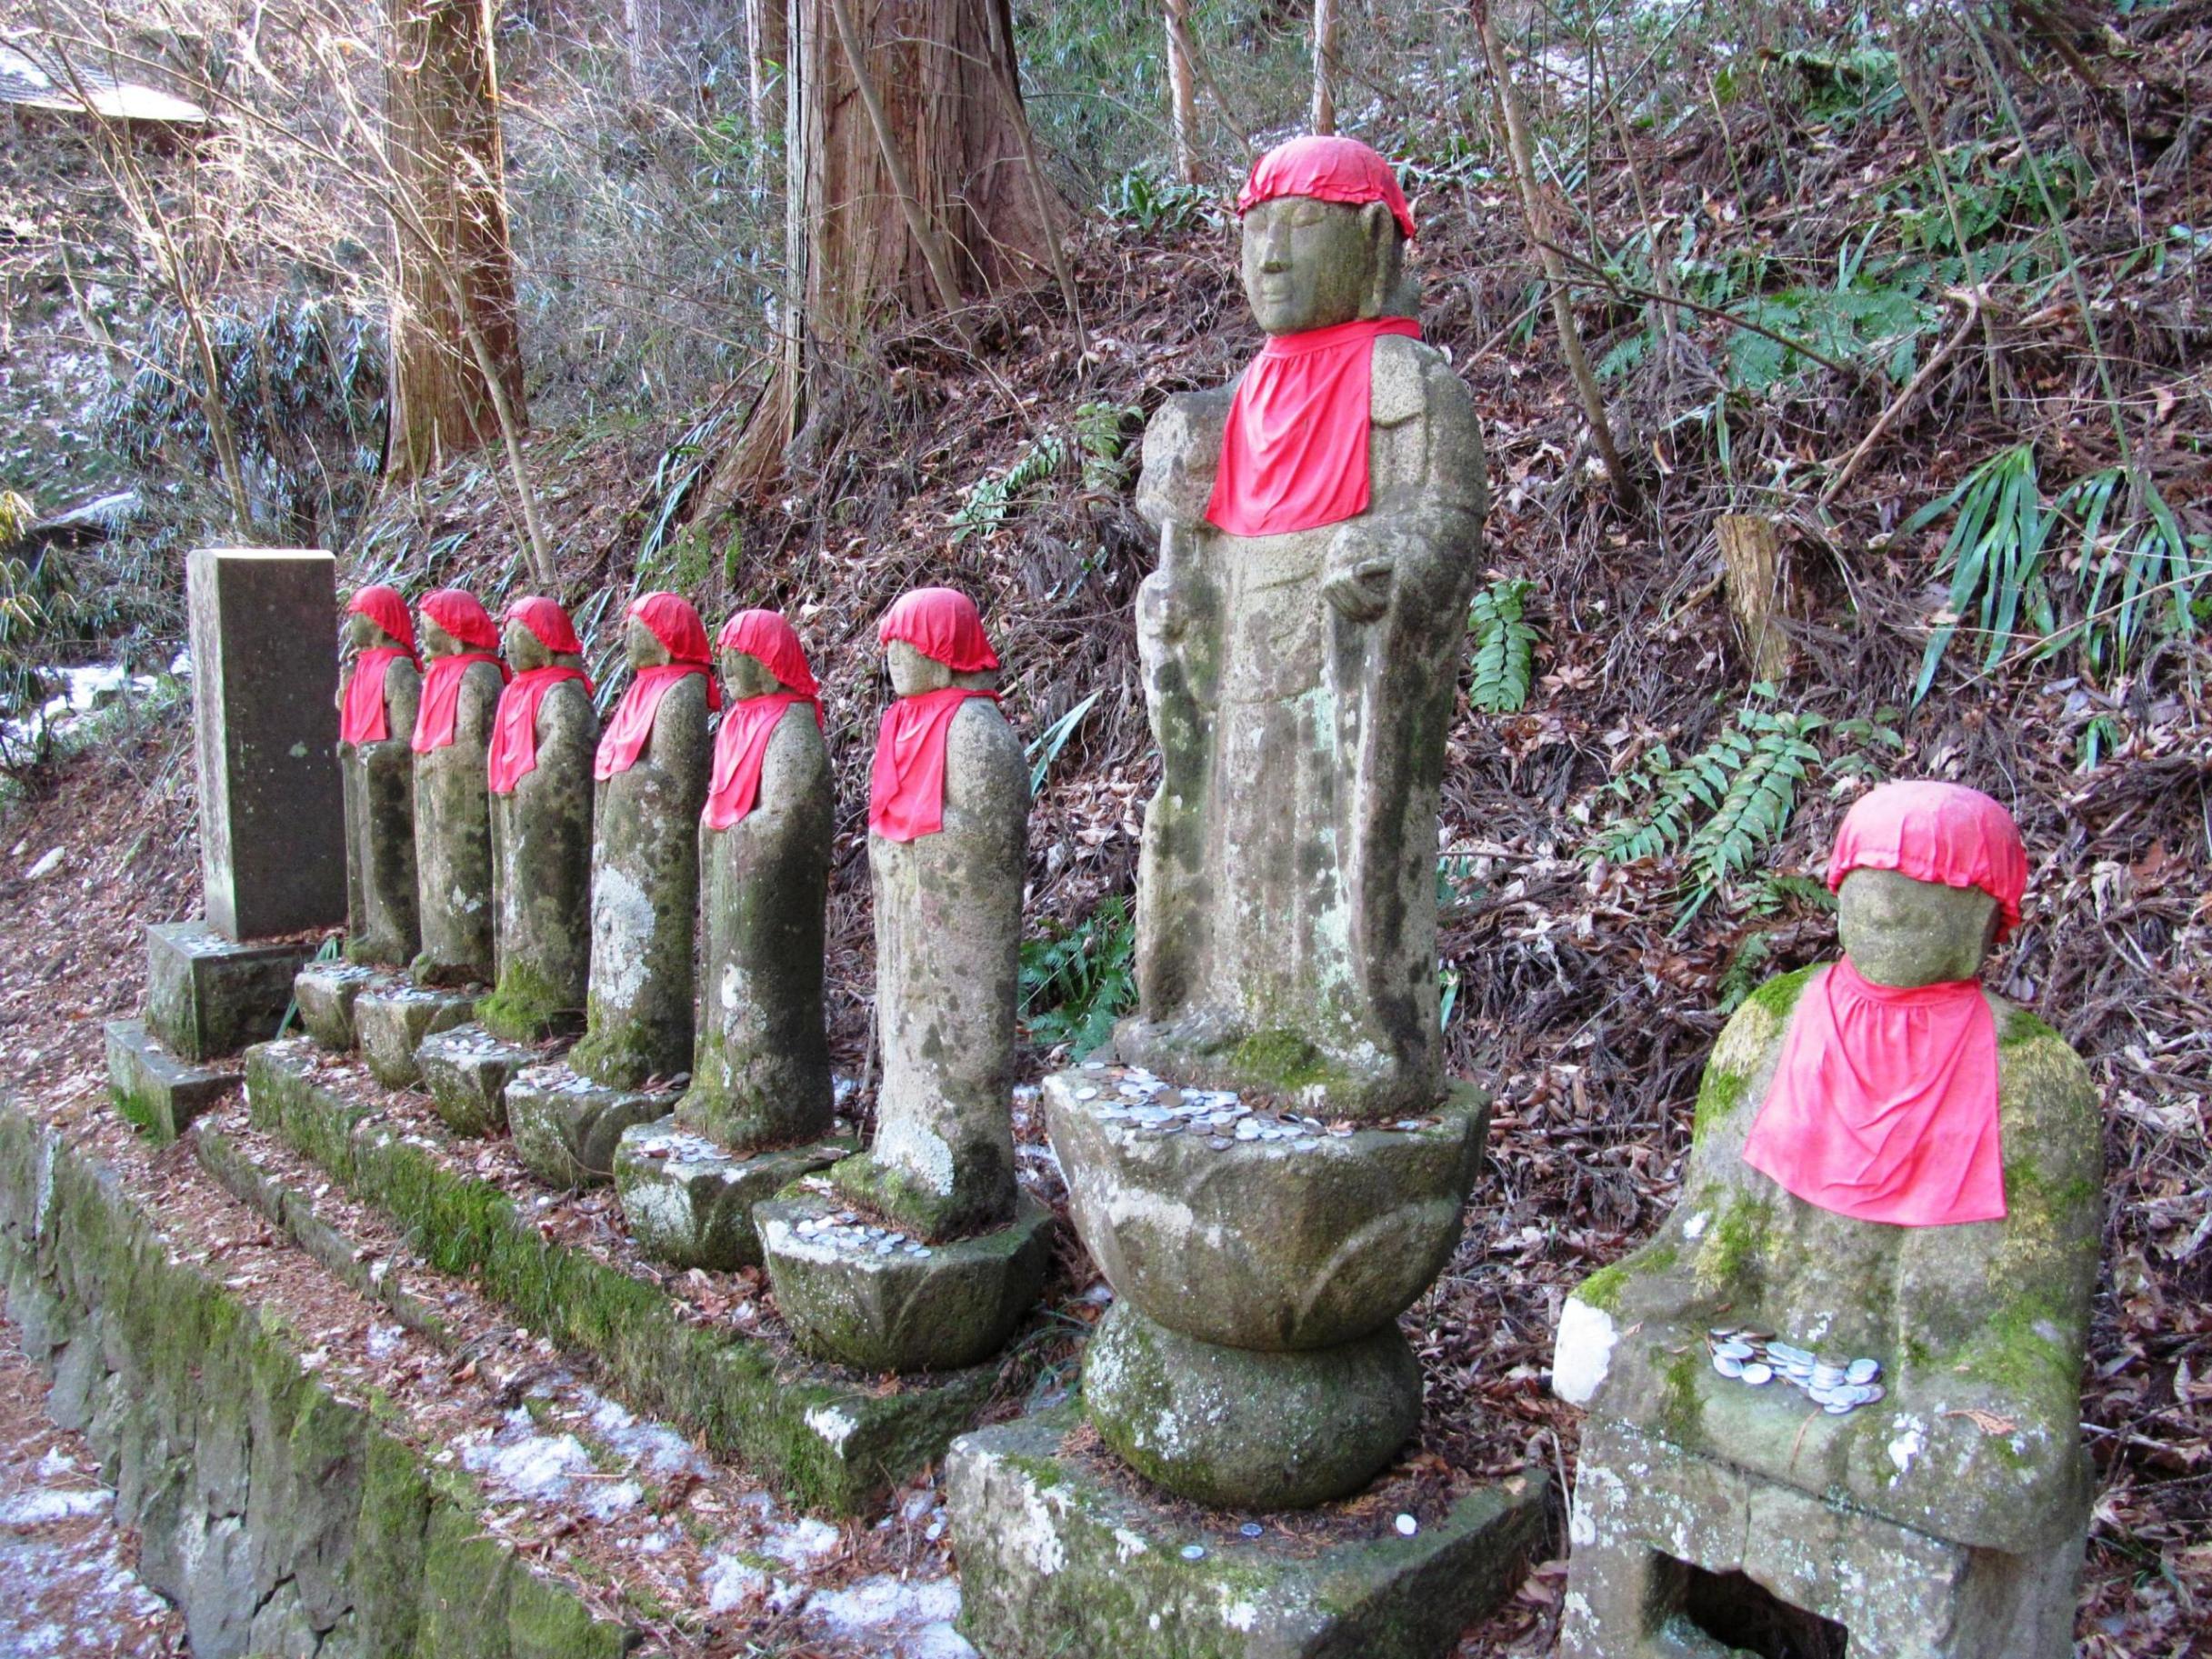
<point x="271" y="831"/>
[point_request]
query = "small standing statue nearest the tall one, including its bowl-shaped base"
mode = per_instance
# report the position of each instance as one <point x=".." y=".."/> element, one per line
<point x="924" y="1253"/>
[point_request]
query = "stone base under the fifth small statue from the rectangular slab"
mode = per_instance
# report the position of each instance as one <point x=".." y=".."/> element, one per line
<point x="691" y="1204"/>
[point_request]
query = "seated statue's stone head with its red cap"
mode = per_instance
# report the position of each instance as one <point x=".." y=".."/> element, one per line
<point x="1928" y="877"/>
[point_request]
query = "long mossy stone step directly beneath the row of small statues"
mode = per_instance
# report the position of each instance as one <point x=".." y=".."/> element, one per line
<point x="831" y="1439"/>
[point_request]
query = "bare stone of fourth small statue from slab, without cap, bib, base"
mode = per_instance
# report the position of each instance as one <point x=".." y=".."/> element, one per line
<point x="645" y="893"/>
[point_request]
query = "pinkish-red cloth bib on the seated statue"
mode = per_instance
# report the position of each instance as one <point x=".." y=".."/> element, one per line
<point x="1886" y="1103"/>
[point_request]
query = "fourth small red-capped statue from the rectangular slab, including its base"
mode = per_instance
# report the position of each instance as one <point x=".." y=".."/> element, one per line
<point x="645" y="904"/>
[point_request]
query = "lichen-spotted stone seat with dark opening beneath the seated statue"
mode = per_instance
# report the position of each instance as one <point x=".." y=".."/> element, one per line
<point x="1647" y="1512"/>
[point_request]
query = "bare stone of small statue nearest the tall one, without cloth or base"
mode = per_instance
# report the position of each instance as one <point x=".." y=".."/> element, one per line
<point x="948" y="963"/>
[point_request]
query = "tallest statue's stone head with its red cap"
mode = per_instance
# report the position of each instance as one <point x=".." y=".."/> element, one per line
<point x="1324" y="236"/>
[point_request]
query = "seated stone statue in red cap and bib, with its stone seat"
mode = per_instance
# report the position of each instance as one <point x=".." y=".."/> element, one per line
<point x="1839" y="1395"/>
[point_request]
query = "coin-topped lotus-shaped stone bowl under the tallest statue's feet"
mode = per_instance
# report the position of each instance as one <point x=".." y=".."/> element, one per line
<point x="1266" y="1244"/>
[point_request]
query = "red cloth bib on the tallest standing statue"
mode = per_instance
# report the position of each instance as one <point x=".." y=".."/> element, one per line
<point x="1295" y="446"/>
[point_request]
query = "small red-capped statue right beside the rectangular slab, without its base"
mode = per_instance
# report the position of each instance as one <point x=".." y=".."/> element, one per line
<point x="377" y="716"/>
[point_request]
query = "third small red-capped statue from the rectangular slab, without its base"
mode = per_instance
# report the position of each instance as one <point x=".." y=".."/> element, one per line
<point x="541" y="826"/>
